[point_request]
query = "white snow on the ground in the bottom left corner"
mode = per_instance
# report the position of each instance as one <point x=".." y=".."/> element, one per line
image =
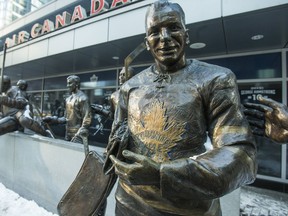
<point x="11" y="204"/>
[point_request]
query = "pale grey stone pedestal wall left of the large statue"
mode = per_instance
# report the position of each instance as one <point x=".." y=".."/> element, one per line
<point x="39" y="168"/>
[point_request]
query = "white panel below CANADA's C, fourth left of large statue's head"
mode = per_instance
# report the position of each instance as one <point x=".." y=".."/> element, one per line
<point x="38" y="50"/>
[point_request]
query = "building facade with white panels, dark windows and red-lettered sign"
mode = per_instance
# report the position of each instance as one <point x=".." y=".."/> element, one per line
<point x="92" y="38"/>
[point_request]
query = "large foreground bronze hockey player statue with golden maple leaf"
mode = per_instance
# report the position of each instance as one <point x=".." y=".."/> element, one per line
<point x="156" y="146"/>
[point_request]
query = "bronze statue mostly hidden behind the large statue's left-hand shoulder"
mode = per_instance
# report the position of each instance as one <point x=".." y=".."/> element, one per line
<point x="99" y="109"/>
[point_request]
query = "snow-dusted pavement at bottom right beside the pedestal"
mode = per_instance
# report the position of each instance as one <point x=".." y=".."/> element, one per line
<point x="261" y="202"/>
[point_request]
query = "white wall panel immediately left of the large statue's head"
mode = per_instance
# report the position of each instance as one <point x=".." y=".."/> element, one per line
<point x="127" y="24"/>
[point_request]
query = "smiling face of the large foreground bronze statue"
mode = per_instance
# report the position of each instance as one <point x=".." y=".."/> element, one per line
<point x="166" y="36"/>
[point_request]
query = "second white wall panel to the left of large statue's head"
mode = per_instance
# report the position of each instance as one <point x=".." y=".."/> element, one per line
<point x="91" y="34"/>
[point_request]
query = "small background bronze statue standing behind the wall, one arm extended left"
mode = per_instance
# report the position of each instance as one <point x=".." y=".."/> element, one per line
<point x="77" y="115"/>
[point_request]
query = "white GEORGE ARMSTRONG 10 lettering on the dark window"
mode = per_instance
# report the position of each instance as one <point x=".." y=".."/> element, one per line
<point x="255" y="92"/>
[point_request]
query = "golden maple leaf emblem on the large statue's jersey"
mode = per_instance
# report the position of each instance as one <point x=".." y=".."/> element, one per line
<point x="157" y="131"/>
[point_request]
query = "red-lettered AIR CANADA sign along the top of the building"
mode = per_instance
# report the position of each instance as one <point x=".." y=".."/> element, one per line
<point x="64" y="19"/>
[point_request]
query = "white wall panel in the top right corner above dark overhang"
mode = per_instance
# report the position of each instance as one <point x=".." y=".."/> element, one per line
<point x="231" y="7"/>
